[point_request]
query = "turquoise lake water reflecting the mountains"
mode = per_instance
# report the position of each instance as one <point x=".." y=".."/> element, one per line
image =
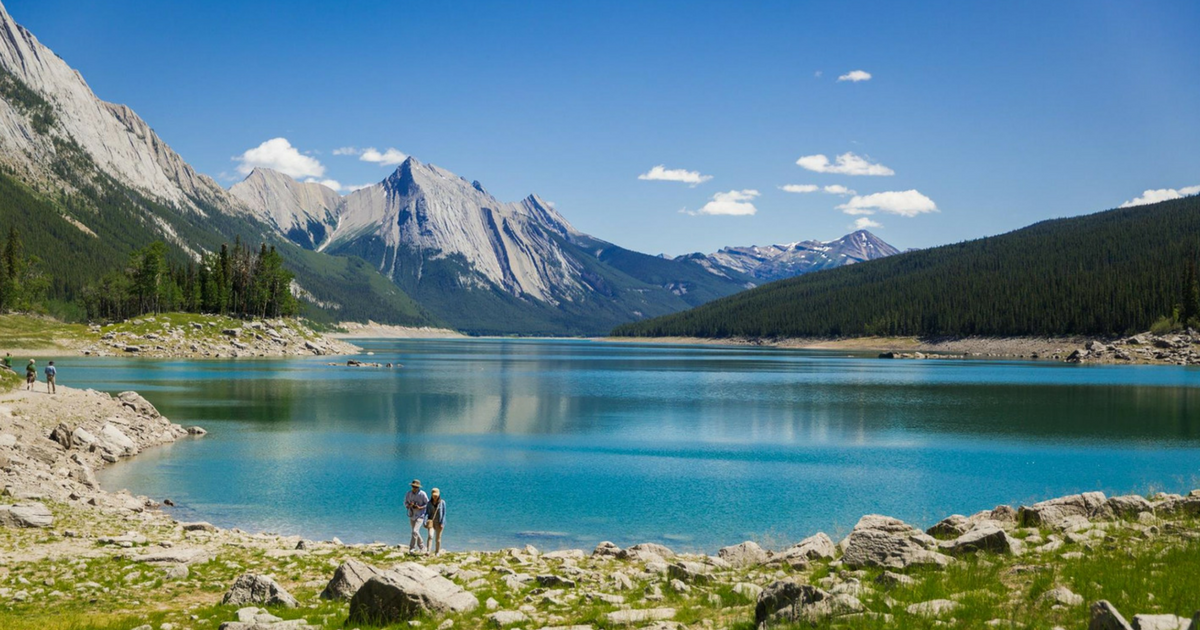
<point x="566" y="443"/>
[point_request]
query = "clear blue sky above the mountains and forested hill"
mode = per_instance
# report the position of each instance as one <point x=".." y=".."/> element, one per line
<point x="997" y="115"/>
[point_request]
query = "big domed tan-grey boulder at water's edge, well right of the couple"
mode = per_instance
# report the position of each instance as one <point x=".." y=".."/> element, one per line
<point x="889" y="543"/>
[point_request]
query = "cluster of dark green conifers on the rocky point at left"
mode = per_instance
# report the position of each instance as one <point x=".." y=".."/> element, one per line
<point x="238" y="283"/>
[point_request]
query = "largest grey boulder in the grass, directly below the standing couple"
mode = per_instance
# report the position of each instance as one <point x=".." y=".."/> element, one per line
<point x="405" y="593"/>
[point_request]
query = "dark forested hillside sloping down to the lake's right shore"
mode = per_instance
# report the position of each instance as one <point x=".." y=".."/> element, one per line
<point x="1105" y="274"/>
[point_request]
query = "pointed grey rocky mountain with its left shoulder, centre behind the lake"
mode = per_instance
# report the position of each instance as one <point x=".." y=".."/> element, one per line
<point x="482" y="265"/>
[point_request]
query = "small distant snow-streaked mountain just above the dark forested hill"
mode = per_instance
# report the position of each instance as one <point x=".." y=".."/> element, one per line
<point x="778" y="262"/>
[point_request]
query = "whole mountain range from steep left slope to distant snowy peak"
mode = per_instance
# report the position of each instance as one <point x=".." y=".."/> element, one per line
<point x="89" y="182"/>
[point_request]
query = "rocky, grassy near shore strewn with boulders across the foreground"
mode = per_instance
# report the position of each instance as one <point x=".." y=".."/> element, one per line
<point x="63" y="541"/>
